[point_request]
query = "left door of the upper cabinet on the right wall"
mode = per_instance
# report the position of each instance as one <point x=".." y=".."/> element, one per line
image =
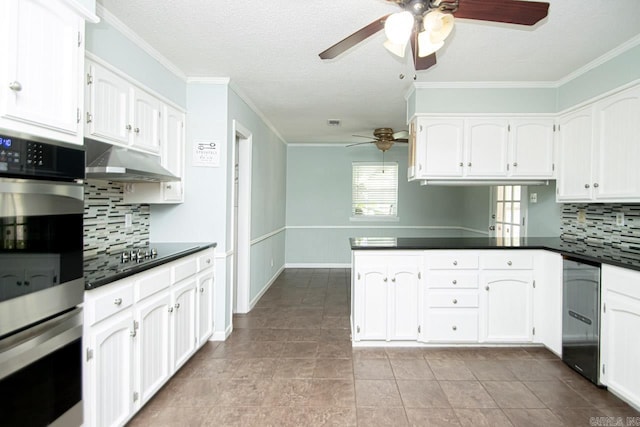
<point x="575" y="142"/>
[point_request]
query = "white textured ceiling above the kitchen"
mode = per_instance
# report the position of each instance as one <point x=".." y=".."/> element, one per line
<point x="269" y="50"/>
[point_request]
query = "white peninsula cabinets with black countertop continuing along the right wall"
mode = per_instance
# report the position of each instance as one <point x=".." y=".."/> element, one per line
<point x="492" y="292"/>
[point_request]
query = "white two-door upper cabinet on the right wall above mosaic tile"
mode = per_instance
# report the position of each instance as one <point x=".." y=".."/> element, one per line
<point x="599" y="150"/>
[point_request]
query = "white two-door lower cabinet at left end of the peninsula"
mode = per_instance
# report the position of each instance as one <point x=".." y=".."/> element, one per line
<point x="385" y="297"/>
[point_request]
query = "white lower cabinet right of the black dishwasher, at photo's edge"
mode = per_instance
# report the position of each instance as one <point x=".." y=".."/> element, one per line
<point x="620" y="323"/>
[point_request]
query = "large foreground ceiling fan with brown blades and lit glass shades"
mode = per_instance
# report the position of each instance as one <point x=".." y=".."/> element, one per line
<point x="425" y="24"/>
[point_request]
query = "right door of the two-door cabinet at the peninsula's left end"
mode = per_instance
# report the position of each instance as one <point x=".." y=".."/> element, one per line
<point x="403" y="306"/>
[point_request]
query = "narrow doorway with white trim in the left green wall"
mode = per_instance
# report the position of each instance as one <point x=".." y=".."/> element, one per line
<point x="241" y="219"/>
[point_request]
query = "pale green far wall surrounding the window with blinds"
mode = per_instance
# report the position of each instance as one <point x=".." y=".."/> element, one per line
<point x="319" y="203"/>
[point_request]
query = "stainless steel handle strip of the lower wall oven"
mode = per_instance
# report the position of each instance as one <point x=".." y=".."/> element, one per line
<point x="24" y="348"/>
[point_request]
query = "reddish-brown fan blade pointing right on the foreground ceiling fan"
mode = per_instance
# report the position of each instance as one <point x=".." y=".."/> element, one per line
<point x="509" y="11"/>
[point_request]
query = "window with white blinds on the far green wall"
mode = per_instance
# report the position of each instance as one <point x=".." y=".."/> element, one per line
<point x="374" y="190"/>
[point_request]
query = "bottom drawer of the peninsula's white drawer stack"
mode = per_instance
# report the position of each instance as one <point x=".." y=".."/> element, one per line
<point x="452" y="325"/>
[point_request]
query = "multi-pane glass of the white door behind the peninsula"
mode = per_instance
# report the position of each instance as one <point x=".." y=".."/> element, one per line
<point x="509" y="211"/>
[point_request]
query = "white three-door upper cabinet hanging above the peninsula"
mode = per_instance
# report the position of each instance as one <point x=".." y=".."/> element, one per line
<point x="477" y="148"/>
